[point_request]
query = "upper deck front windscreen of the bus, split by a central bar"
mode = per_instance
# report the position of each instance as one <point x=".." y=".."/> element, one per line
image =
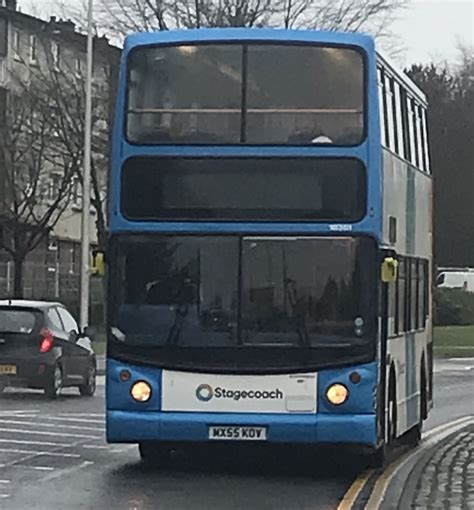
<point x="245" y="93"/>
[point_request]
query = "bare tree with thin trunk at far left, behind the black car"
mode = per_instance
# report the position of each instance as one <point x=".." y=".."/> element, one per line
<point x="33" y="200"/>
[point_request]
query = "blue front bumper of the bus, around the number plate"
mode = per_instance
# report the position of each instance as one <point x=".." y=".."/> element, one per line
<point x="135" y="427"/>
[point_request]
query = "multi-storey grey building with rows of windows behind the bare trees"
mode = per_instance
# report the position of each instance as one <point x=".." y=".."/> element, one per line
<point x="32" y="52"/>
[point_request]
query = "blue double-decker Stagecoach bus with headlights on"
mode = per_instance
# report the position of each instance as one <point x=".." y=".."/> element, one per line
<point x="269" y="264"/>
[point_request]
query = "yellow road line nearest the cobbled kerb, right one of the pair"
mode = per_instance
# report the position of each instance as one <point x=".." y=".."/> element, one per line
<point x="439" y="433"/>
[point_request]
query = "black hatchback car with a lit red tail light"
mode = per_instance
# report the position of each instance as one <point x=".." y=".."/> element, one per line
<point x="41" y="348"/>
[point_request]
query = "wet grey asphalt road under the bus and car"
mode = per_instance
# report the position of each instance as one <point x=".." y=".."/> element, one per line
<point x="53" y="456"/>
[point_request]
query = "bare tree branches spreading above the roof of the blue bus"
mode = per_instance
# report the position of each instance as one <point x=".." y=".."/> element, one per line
<point x="120" y="17"/>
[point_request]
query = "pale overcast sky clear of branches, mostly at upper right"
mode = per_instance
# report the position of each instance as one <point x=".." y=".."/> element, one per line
<point x="429" y="30"/>
